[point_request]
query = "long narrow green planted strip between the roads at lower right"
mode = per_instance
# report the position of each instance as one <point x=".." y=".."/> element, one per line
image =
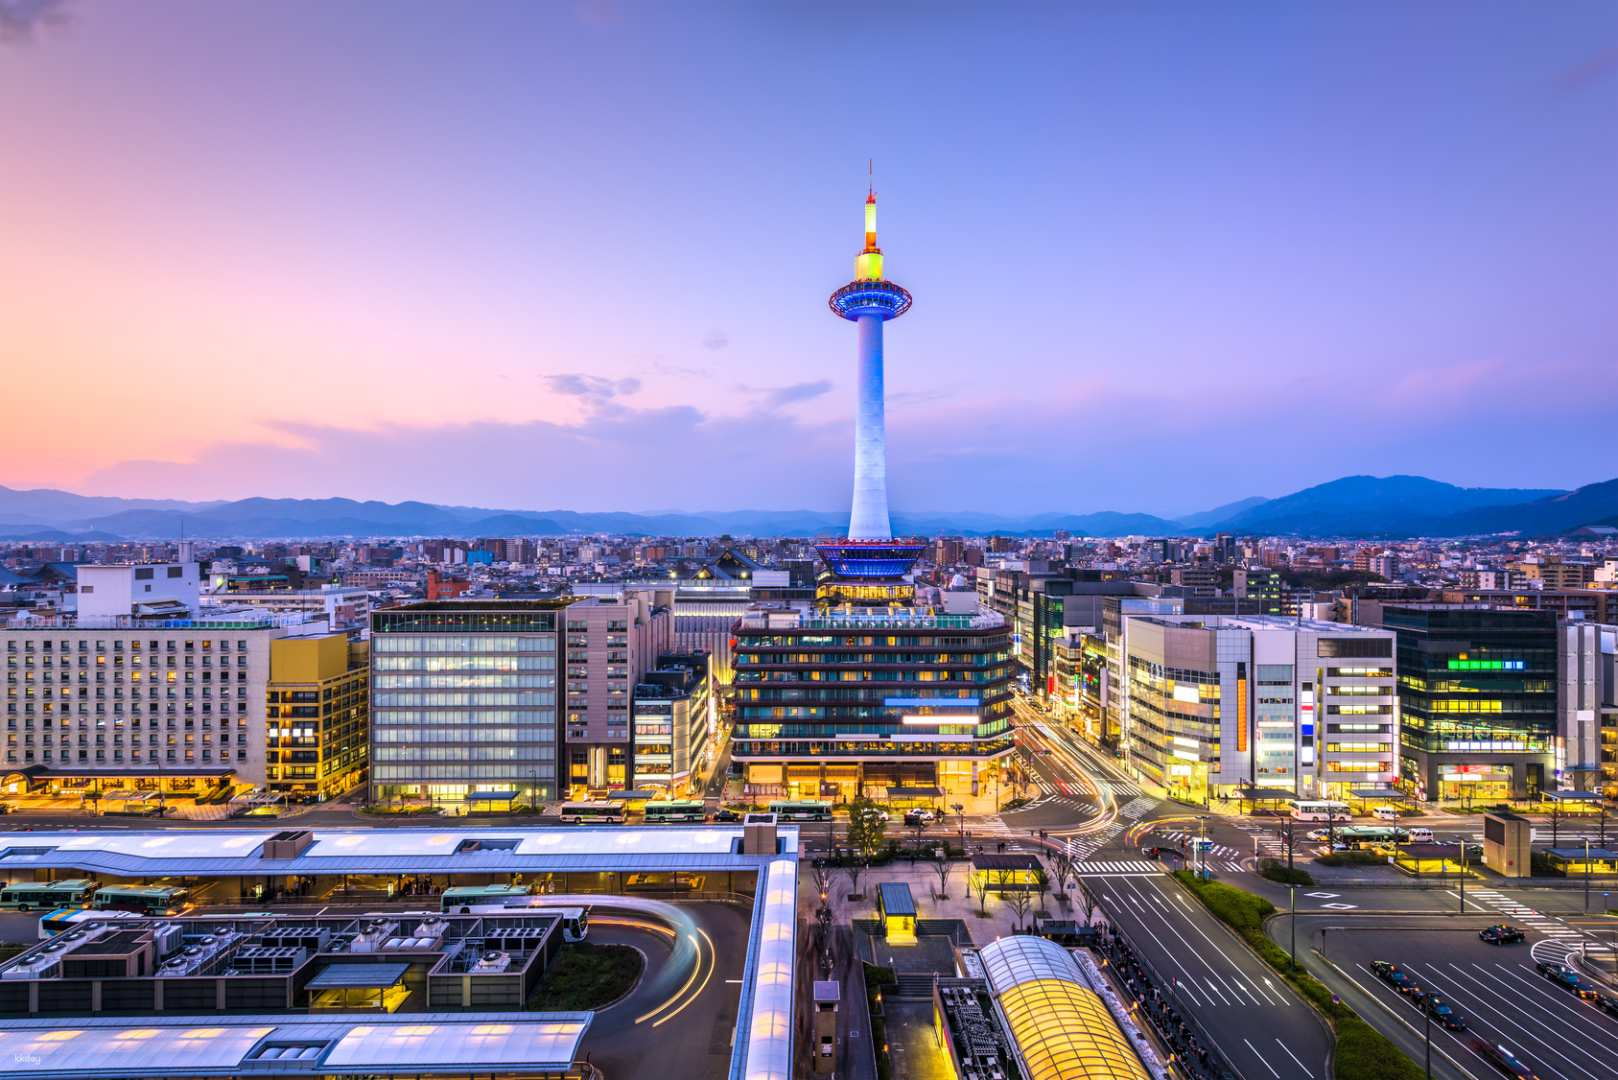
<point x="1362" y="1052"/>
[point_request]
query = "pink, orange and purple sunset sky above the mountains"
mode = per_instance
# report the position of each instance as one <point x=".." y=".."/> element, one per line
<point x="553" y="255"/>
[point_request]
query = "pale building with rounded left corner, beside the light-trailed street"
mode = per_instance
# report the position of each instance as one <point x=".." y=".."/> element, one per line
<point x="1221" y="705"/>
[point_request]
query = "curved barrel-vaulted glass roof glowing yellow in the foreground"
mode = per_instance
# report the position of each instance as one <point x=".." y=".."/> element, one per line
<point x="1061" y="1026"/>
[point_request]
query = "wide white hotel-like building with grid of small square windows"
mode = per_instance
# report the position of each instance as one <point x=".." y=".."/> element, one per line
<point x="142" y="692"/>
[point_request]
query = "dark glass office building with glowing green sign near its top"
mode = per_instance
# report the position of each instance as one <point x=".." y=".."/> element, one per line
<point x="1478" y="700"/>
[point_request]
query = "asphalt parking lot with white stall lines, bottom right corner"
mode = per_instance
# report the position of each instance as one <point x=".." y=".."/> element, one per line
<point x="1497" y="990"/>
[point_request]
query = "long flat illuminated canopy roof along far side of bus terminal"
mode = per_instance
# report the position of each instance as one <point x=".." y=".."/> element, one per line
<point x="224" y="853"/>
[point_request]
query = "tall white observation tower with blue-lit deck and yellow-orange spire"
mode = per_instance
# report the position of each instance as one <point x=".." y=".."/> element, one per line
<point x="868" y="302"/>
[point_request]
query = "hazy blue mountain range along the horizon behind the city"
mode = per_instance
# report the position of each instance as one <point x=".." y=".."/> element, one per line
<point x="1350" y="508"/>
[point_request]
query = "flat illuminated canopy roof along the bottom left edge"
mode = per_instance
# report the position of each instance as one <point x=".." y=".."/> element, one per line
<point x="417" y="1045"/>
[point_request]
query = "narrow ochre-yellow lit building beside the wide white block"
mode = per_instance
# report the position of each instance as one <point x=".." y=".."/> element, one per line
<point x="318" y="708"/>
